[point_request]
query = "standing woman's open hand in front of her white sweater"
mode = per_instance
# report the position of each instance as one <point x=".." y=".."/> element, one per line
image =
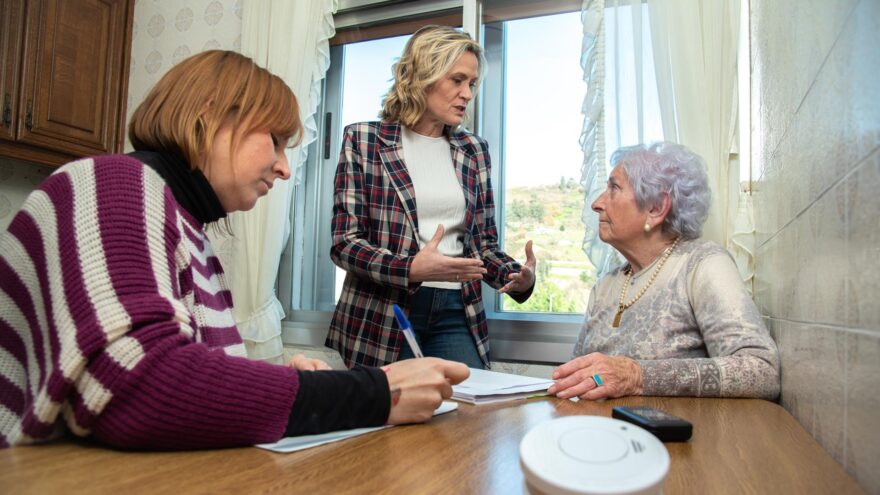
<point x="429" y="265"/>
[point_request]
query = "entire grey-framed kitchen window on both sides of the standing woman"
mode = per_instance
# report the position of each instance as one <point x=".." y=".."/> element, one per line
<point x="529" y="111"/>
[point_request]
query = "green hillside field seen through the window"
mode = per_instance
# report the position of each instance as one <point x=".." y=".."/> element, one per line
<point x="550" y="216"/>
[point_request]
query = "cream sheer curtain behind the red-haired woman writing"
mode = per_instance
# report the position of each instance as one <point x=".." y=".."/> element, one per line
<point x="290" y="38"/>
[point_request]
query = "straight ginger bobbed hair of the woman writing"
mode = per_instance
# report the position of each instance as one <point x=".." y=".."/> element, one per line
<point x="186" y="108"/>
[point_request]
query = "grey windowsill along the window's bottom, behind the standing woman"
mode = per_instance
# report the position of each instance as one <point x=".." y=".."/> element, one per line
<point x="548" y="342"/>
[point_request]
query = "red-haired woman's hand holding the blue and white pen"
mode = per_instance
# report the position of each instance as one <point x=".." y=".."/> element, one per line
<point x="418" y="386"/>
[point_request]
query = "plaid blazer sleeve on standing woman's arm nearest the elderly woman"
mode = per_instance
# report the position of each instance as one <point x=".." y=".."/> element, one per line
<point x="498" y="263"/>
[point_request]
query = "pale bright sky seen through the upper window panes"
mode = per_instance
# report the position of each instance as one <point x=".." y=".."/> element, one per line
<point x="544" y="94"/>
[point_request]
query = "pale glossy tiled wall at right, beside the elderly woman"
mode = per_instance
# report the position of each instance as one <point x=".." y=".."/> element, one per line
<point x="816" y="135"/>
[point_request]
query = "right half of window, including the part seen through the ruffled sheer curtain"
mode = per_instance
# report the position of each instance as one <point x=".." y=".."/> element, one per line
<point x="532" y="108"/>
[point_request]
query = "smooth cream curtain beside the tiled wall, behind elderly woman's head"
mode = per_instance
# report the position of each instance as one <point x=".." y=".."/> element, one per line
<point x="695" y="48"/>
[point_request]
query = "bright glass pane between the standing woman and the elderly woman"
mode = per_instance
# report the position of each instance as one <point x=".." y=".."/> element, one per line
<point x="532" y="105"/>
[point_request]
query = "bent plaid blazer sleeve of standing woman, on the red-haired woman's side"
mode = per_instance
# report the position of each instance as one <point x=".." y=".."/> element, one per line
<point x="352" y="250"/>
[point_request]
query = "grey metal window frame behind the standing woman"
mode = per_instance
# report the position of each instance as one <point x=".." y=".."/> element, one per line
<point x="546" y="338"/>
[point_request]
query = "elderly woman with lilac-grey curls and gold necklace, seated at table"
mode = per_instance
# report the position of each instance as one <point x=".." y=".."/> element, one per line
<point x="676" y="318"/>
